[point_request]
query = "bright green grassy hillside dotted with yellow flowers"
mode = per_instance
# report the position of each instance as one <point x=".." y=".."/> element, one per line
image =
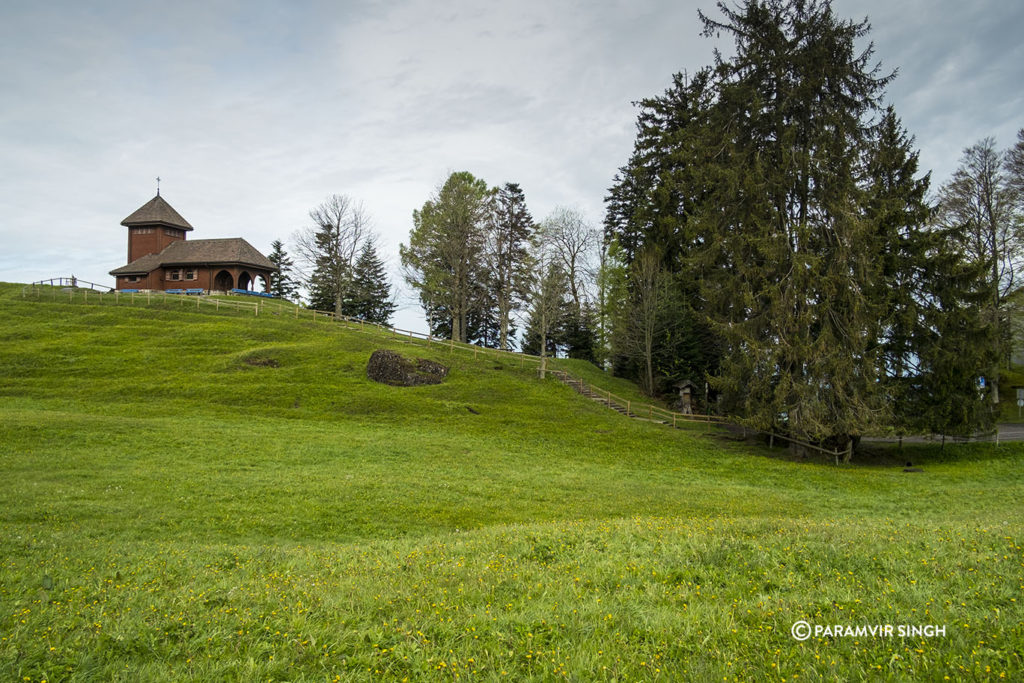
<point x="214" y="496"/>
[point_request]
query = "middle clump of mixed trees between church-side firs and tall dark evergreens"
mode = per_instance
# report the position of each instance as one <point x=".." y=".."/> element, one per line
<point x="481" y="266"/>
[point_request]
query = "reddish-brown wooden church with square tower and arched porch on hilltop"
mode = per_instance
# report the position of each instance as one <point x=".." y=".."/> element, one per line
<point x="161" y="259"/>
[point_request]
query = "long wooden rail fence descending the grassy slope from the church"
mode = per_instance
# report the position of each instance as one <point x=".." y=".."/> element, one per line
<point x="72" y="287"/>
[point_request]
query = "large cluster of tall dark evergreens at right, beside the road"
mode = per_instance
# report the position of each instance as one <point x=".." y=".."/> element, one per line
<point x="772" y="235"/>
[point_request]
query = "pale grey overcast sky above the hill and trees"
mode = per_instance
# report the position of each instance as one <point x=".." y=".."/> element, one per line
<point x="252" y="113"/>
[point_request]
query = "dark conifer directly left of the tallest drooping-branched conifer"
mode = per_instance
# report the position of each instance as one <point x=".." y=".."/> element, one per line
<point x="653" y="204"/>
